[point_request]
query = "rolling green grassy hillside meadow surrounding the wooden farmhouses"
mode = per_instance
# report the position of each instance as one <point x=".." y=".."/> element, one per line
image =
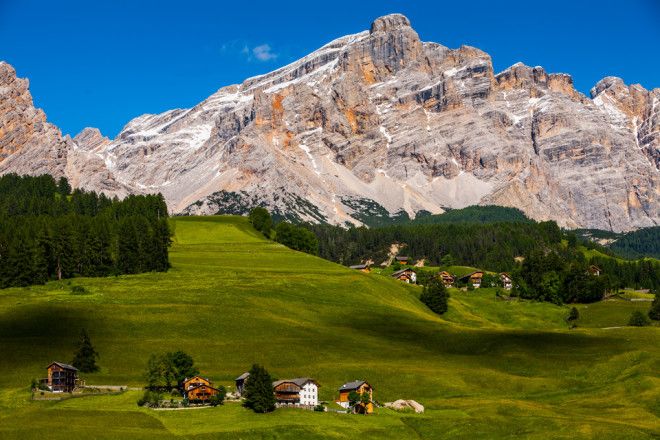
<point x="488" y="369"/>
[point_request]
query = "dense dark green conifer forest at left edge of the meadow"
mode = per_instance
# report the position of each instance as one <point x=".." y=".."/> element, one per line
<point x="49" y="231"/>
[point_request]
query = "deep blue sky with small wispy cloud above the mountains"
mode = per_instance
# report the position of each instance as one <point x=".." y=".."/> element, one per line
<point x="101" y="63"/>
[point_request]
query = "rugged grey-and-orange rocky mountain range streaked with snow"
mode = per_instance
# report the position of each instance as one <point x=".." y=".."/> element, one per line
<point x="377" y="118"/>
